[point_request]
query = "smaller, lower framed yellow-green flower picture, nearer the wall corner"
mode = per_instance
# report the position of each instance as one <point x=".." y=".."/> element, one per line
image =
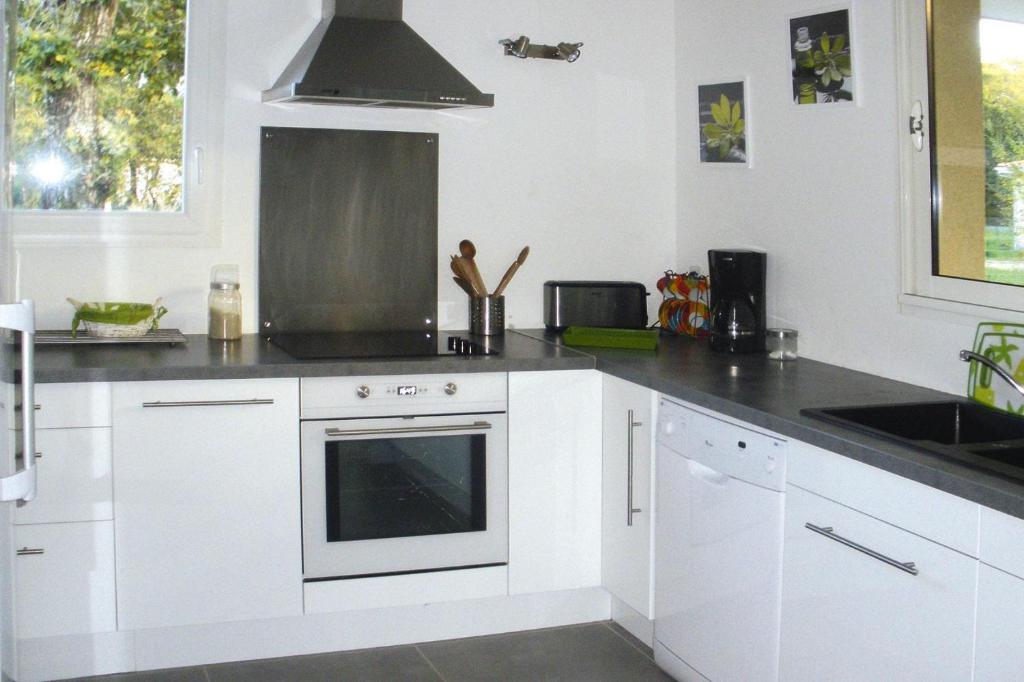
<point x="723" y="123"/>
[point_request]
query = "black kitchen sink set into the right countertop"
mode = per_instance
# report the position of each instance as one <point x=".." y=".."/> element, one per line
<point x="968" y="433"/>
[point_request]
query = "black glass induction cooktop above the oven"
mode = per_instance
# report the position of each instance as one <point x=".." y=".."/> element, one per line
<point x="364" y="346"/>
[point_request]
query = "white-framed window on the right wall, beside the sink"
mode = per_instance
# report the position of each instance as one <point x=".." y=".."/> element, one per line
<point x="963" y="80"/>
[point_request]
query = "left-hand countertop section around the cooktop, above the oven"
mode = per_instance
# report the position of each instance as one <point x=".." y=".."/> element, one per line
<point x="252" y="358"/>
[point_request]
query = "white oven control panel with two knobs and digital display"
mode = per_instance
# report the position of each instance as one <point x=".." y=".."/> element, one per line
<point x="342" y="398"/>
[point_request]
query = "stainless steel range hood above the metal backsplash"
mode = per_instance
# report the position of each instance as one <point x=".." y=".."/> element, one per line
<point x="363" y="55"/>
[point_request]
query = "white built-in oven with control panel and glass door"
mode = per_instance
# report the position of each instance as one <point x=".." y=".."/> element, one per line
<point x="404" y="475"/>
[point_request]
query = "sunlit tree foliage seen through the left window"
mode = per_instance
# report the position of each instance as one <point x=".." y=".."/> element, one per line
<point x="100" y="86"/>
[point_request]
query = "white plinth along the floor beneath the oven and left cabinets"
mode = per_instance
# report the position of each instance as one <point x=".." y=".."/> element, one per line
<point x="57" y="658"/>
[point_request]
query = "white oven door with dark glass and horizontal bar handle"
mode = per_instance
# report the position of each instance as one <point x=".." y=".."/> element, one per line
<point x="398" y="495"/>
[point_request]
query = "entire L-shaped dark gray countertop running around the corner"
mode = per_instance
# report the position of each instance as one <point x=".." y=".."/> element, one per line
<point x="751" y="389"/>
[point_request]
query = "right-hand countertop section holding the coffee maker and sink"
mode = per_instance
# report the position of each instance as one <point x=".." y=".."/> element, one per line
<point x="771" y="395"/>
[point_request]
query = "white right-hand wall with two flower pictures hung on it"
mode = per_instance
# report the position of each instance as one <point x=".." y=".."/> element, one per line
<point x="823" y="197"/>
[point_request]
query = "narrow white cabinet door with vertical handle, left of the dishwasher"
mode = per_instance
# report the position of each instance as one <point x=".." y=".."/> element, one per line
<point x="628" y="504"/>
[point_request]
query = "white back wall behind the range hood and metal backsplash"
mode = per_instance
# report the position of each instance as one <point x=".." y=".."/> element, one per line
<point x="578" y="161"/>
